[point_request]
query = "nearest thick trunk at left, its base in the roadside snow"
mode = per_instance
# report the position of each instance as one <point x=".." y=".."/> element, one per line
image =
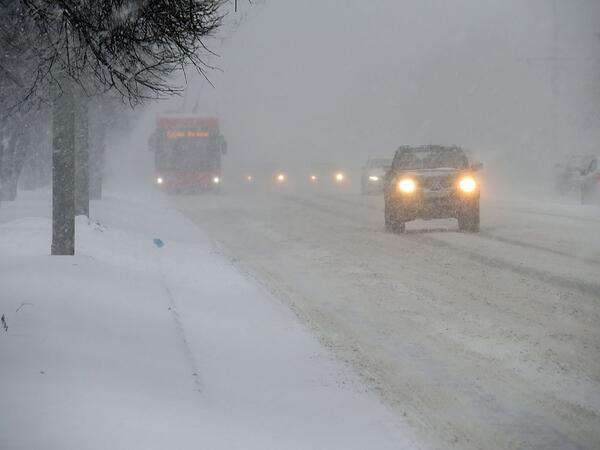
<point x="63" y="173"/>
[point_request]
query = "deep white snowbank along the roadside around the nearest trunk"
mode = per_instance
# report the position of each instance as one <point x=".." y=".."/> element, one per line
<point x="131" y="346"/>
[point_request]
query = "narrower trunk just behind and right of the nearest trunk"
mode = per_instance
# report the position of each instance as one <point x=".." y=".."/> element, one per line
<point x="82" y="174"/>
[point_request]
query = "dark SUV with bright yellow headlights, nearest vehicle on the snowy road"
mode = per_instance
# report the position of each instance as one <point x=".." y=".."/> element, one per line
<point x="431" y="182"/>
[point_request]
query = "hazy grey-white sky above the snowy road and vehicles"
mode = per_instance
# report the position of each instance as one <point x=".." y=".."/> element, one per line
<point x="330" y="79"/>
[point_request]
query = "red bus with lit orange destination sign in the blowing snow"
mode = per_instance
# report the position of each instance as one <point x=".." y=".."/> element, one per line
<point x="187" y="153"/>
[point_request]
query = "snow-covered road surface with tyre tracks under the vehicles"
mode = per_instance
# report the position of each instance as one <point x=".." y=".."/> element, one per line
<point x="479" y="341"/>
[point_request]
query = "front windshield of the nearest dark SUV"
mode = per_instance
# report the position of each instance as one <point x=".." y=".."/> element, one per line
<point x="431" y="159"/>
